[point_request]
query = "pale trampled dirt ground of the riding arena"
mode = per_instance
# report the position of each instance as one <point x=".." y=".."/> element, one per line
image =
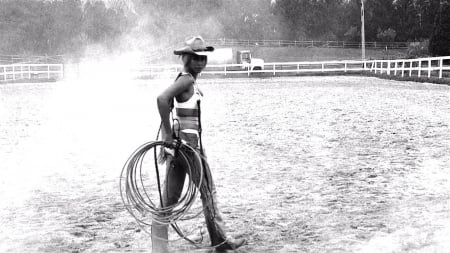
<point x="301" y="164"/>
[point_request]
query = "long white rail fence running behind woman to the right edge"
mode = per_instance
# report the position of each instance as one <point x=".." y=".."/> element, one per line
<point x="435" y="66"/>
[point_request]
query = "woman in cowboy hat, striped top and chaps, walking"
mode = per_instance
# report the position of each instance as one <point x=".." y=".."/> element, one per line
<point x="187" y="95"/>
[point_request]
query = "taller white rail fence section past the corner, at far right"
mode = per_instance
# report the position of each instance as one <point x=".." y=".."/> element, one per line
<point x="428" y="67"/>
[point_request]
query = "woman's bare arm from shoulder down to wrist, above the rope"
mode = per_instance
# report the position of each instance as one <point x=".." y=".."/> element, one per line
<point x="165" y="99"/>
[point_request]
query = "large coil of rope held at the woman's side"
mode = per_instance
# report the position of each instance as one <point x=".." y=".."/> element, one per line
<point x="134" y="191"/>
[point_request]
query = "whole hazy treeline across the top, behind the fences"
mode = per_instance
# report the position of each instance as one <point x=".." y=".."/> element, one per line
<point x="68" y="26"/>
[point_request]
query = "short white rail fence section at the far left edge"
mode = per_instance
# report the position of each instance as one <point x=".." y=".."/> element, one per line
<point x="15" y="72"/>
